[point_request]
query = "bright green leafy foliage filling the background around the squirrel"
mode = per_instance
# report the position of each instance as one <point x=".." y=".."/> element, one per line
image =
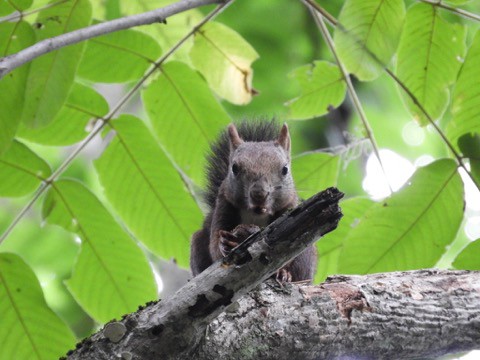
<point x="142" y="192"/>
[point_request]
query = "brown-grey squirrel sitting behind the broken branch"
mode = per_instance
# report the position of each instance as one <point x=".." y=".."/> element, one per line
<point x="249" y="185"/>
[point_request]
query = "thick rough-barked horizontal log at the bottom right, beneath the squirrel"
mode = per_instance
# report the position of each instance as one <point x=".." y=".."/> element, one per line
<point x="402" y="315"/>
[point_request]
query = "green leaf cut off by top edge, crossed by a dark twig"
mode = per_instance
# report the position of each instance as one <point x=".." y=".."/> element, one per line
<point x="367" y="35"/>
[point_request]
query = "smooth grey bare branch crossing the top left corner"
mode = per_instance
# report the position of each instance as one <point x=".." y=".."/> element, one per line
<point x="11" y="62"/>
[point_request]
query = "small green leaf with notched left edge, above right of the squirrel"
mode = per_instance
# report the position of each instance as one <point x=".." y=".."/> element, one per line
<point x="322" y="87"/>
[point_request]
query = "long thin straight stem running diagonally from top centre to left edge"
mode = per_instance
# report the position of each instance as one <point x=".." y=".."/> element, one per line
<point x="103" y="121"/>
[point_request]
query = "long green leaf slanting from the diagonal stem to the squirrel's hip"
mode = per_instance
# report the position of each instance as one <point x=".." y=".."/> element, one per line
<point x="146" y="190"/>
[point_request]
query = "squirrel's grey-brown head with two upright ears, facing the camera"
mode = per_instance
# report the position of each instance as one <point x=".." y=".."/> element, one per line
<point x="259" y="178"/>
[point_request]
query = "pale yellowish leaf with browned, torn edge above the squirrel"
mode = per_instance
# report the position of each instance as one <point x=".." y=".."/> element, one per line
<point x="224" y="58"/>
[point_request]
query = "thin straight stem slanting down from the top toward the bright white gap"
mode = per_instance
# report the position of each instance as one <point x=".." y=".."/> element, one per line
<point x="350" y="88"/>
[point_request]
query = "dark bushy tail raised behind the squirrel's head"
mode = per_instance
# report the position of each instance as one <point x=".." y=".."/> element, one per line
<point x="218" y="158"/>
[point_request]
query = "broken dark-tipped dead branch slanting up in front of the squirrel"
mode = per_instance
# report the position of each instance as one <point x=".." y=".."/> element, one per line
<point x="172" y="328"/>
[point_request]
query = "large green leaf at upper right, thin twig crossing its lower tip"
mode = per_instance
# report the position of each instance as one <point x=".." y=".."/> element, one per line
<point x="429" y="56"/>
